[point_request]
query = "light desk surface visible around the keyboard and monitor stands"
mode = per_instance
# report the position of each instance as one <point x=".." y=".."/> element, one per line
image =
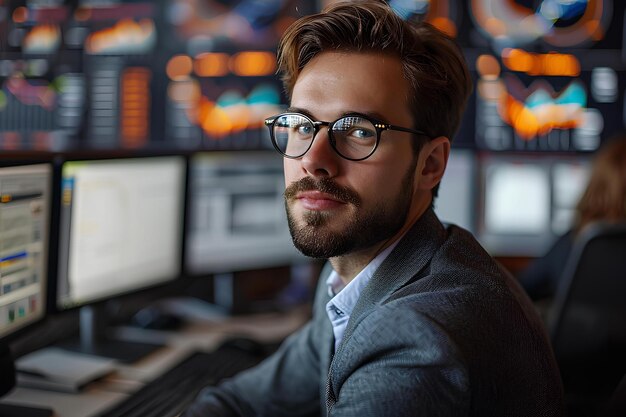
<point x="102" y="394"/>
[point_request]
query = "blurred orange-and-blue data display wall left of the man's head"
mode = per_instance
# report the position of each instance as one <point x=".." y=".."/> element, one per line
<point x="140" y="74"/>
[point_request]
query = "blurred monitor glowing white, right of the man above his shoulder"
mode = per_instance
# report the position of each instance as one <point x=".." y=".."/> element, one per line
<point x="528" y="200"/>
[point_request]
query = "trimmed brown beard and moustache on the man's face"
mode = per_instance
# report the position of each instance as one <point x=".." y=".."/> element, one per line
<point x="315" y="237"/>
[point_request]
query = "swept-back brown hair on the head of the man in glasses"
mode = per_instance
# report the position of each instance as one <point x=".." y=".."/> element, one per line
<point x="433" y="64"/>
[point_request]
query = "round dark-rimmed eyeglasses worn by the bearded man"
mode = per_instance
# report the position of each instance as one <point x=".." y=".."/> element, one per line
<point x="354" y="137"/>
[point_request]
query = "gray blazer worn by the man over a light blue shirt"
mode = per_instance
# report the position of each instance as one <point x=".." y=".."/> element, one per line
<point x="440" y="330"/>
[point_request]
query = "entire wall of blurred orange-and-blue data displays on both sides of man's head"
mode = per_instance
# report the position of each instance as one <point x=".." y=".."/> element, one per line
<point x="550" y="75"/>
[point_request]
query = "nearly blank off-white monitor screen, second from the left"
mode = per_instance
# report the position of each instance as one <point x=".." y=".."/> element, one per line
<point x="121" y="223"/>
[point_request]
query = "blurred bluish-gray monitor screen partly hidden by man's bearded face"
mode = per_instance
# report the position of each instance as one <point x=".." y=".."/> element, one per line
<point x="237" y="217"/>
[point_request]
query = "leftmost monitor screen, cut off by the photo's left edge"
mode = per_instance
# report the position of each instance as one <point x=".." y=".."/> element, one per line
<point x="25" y="201"/>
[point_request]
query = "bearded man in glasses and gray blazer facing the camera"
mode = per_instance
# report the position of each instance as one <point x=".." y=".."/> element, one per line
<point x="410" y="317"/>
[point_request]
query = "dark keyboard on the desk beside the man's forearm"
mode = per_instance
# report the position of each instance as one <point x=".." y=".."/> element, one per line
<point x="170" y="393"/>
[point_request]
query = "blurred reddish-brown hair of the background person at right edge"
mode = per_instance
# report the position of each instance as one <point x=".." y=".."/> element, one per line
<point x="604" y="198"/>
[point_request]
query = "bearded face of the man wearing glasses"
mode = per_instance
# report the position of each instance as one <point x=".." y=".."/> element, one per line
<point x="336" y="206"/>
